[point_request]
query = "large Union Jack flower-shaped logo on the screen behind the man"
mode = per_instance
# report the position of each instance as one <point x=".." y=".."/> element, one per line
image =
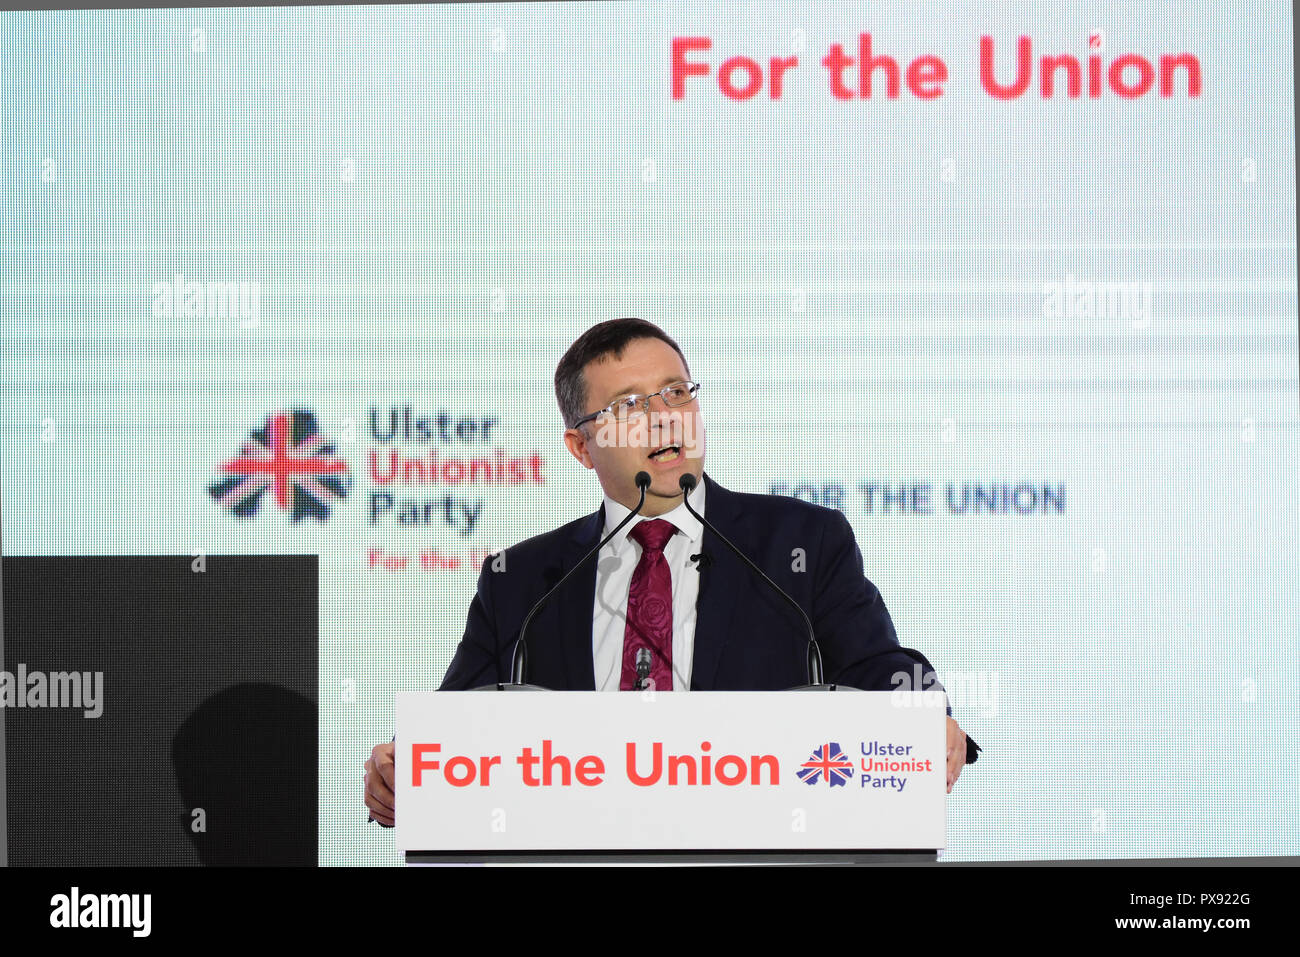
<point x="291" y="457"/>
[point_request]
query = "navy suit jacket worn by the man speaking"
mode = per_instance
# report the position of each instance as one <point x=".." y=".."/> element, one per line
<point x="747" y="638"/>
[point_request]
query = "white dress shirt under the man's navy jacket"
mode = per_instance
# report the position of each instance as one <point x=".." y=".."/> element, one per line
<point x="617" y="564"/>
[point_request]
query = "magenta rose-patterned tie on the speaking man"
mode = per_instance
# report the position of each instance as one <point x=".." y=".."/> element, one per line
<point x="651" y="609"/>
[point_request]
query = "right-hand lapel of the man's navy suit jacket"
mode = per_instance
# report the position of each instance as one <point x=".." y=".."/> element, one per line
<point x="721" y="583"/>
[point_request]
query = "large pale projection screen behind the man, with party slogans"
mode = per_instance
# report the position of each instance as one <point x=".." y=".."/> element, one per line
<point x="1021" y="302"/>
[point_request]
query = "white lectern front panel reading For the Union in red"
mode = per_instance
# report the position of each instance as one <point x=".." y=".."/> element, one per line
<point x="679" y="777"/>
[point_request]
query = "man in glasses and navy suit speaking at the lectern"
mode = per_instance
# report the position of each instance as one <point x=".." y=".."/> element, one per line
<point x="666" y="604"/>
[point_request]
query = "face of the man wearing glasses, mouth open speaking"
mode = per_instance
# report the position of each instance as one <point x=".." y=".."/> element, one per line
<point x="619" y="452"/>
